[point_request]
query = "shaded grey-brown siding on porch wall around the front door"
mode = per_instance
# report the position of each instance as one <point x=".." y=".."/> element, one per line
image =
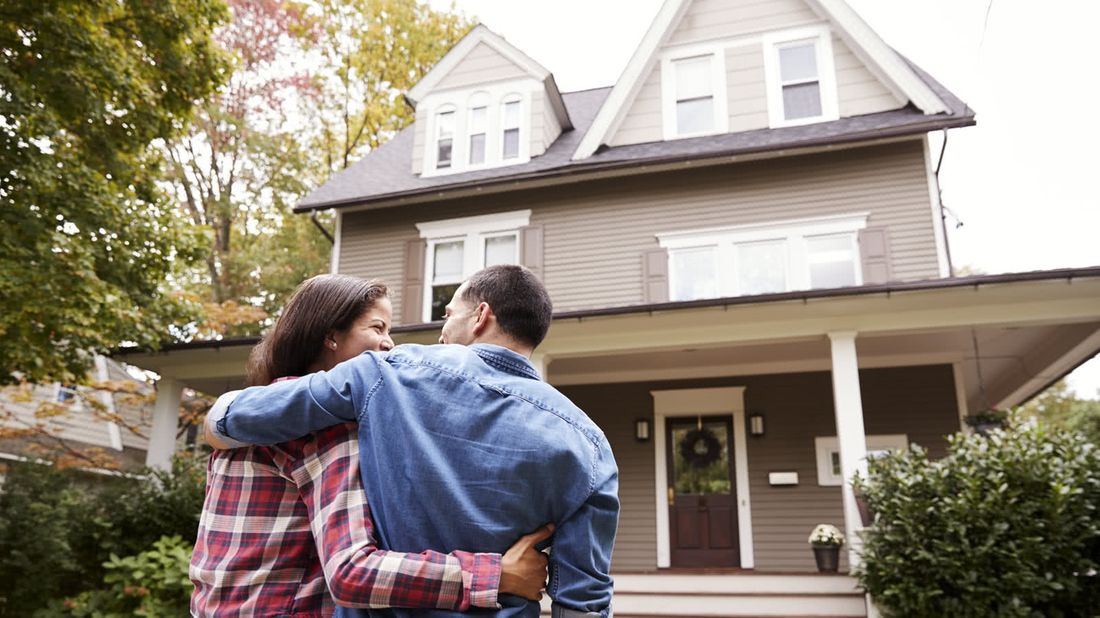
<point x="919" y="402"/>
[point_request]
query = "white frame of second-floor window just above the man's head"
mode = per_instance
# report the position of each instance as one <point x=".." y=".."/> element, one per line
<point x="474" y="231"/>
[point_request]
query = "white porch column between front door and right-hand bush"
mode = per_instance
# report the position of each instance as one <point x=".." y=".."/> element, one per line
<point x="851" y="436"/>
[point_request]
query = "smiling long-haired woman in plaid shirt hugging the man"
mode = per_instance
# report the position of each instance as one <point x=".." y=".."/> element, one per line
<point x="287" y="529"/>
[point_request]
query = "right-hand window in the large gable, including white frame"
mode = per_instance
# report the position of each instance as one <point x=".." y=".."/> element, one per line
<point x="801" y="80"/>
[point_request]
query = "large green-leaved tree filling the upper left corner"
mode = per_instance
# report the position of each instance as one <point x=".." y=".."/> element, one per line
<point x="86" y="237"/>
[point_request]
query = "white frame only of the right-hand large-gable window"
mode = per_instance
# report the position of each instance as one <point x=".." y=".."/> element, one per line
<point x="827" y="74"/>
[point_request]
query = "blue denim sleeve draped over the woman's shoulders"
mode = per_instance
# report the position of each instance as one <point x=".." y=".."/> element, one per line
<point x="292" y="410"/>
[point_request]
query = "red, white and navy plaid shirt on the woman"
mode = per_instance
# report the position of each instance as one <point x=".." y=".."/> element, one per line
<point x="281" y="522"/>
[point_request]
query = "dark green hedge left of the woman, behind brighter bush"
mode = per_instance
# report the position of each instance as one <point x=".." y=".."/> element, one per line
<point x="59" y="528"/>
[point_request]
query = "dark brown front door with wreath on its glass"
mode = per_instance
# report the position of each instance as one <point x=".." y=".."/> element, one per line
<point x="702" y="505"/>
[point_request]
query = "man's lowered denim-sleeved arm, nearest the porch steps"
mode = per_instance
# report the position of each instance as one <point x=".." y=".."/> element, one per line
<point x="580" y="562"/>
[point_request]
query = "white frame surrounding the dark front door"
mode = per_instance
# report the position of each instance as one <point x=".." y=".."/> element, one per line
<point x="694" y="403"/>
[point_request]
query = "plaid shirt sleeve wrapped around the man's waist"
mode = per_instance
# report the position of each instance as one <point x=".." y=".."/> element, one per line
<point x="360" y="575"/>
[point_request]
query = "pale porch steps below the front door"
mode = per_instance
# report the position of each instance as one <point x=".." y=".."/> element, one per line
<point x="735" y="595"/>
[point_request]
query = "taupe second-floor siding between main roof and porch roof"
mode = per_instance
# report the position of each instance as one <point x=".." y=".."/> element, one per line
<point x="596" y="233"/>
